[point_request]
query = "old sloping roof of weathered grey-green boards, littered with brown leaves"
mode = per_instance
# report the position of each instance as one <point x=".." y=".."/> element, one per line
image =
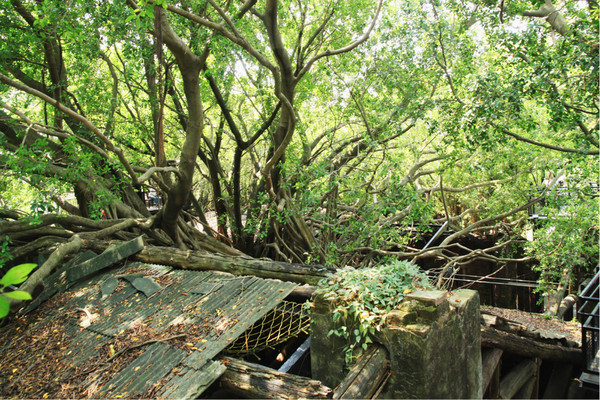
<point x="135" y="331"/>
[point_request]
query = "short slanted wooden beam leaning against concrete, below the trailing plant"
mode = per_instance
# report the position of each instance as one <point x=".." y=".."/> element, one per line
<point x="365" y="377"/>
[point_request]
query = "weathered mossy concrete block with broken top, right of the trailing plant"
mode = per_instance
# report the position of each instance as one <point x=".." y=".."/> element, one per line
<point x="439" y="354"/>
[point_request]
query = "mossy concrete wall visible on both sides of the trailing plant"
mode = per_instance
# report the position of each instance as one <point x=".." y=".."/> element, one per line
<point x="433" y="340"/>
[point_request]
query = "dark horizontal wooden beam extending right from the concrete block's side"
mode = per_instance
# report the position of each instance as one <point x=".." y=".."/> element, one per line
<point x="515" y="344"/>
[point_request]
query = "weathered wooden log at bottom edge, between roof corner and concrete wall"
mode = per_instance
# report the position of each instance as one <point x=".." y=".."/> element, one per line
<point x="259" y="382"/>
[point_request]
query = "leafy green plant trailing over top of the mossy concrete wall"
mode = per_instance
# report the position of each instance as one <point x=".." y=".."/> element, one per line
<point x="362" y="297"/>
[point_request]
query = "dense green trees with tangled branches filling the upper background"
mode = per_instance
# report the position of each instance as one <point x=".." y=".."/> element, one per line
<point x="323" y="132"/>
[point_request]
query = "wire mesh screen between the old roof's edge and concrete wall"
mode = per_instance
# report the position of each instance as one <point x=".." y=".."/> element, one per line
<point x="285" y="321"/>
